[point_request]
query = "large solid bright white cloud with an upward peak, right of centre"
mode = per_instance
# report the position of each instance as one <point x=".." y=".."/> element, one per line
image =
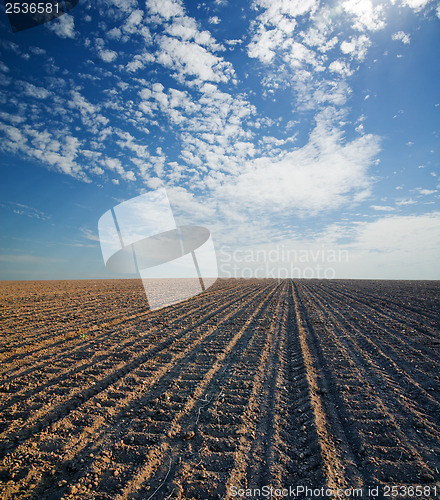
<point x="323" y="175"/>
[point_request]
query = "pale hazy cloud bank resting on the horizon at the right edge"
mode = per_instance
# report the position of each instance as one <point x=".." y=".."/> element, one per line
<point x="390" y="247"/>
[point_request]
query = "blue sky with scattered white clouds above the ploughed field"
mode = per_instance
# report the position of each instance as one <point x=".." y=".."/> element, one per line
<point x="283" y="124"/>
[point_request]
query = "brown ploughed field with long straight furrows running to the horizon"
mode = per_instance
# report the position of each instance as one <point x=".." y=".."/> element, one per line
<point x="325" y="385"/>
